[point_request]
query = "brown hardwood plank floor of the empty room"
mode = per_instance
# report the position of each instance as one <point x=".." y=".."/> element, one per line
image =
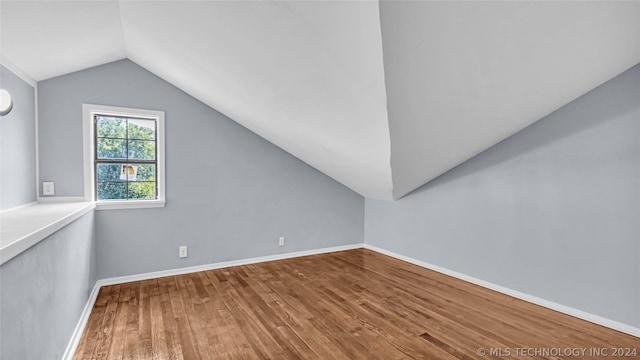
<point x="354" y="304"/>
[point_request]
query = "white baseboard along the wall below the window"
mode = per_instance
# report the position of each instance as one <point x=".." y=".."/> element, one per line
<point x="192" y="269"/>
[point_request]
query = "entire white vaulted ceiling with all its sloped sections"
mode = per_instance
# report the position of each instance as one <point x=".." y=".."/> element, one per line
<point x="381" y="96"/>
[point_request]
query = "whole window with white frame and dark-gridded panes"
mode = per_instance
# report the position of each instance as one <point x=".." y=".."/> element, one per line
<point x="124" y="157"/>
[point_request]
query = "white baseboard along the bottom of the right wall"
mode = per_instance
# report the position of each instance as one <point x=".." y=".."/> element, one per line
<point x="631" y="330"/>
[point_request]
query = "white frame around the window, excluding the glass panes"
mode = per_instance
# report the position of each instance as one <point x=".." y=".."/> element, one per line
<point x="88" y="128"/>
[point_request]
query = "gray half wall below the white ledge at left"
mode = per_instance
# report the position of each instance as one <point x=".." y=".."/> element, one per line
<point x="44" y="291"/>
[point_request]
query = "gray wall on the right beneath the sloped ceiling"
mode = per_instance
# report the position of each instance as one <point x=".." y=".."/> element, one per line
<point x="553" y="211"/>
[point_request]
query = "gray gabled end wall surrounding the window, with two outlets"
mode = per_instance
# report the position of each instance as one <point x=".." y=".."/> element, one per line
<point x="230" y="193"/>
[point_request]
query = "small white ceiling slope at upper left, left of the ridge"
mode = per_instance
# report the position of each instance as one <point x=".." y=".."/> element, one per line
<point x="51" y="38"/>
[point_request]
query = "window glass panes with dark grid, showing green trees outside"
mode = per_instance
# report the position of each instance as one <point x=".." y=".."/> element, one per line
<point x="125" y="158"/>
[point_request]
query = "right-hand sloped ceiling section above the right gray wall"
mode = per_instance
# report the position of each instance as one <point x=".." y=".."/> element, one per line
<point x="462" y="76"/>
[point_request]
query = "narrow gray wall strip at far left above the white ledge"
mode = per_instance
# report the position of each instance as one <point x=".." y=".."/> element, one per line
<point x="17" y="144"/>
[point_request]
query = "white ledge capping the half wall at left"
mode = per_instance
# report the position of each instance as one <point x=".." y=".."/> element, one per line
<point x="23" y="227"/>
